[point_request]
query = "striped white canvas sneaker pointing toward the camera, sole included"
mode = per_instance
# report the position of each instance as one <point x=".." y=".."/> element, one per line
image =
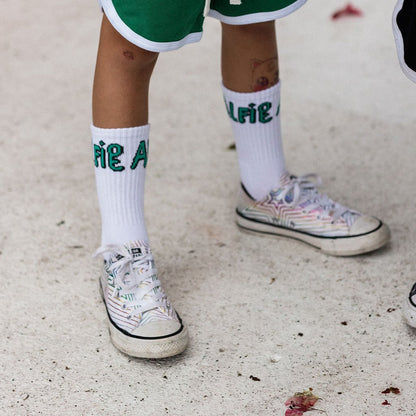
<point x="142" y="321"/>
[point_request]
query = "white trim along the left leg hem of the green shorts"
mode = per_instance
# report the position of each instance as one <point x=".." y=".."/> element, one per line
<point x="140" y="41"/>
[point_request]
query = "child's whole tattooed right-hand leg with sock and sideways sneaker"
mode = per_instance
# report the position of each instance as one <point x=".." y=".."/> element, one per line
<point x="271" y="201"/>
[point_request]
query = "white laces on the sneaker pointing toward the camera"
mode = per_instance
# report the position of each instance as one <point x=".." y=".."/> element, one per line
<point x="130" y="272"/>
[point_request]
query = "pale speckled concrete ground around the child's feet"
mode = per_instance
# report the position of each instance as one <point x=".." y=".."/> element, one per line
<point x="255" y="306"/>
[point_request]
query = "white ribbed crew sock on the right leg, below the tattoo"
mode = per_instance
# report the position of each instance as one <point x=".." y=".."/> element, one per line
<point x="255" y="119"/>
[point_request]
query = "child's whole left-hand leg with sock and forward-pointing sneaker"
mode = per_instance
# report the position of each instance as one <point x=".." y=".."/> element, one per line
<point x="142" y="321"/>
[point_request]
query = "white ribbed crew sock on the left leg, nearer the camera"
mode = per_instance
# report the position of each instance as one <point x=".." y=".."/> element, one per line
<point x="120" y="158"/>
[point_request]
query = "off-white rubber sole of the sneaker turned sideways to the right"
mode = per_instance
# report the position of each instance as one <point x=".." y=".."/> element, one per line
<point x="334" y="246"/>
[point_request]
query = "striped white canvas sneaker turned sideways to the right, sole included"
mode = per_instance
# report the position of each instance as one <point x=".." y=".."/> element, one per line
<point x="298" y="210"/>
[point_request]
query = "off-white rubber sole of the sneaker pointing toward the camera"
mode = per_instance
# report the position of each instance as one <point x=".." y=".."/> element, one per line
<point x="141" y="347"/>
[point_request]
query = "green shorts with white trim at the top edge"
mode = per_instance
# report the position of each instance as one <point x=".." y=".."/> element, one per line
<point x="164" y="25"/>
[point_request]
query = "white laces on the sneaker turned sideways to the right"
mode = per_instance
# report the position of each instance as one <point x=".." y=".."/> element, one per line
<point x="305" y="189"/>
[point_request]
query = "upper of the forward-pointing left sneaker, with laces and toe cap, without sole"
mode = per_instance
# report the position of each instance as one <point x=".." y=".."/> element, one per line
<point x="133" y="293"/>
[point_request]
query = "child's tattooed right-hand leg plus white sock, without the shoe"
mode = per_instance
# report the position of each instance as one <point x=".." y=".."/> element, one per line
<point x="252" y="94"/>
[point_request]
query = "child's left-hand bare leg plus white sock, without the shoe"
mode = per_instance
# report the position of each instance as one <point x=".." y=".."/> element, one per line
<point x="120" y="118"/>
